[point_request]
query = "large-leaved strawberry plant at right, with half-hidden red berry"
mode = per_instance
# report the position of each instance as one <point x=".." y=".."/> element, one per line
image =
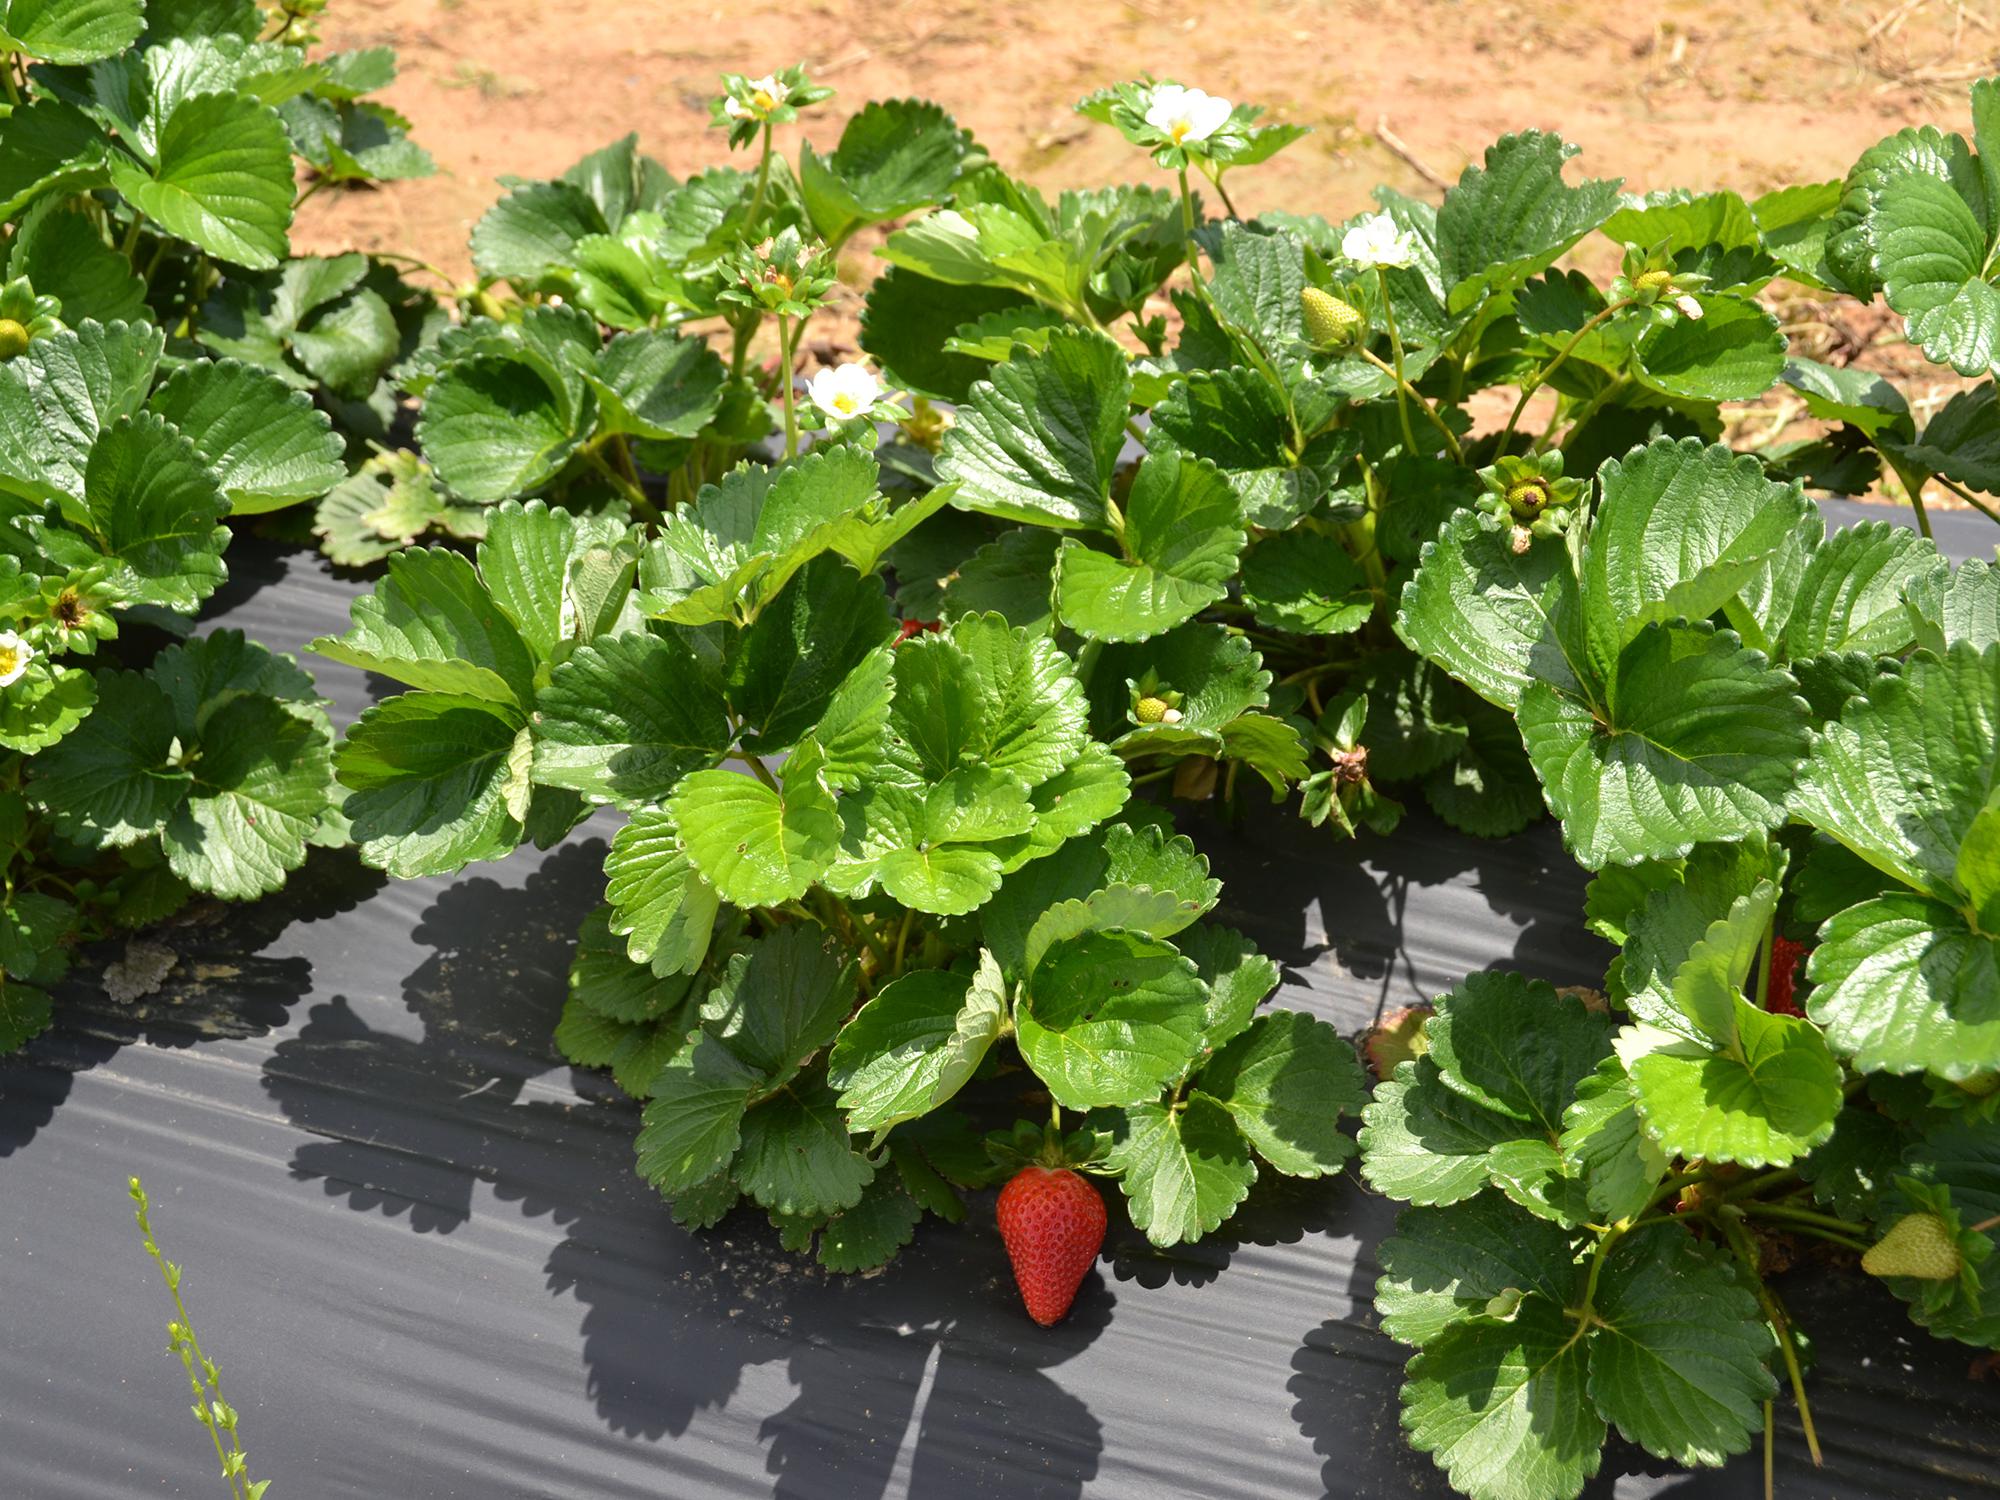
<point x="1759" y="735"/>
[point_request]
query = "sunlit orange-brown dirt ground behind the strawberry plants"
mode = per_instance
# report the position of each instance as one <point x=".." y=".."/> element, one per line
<point x="1749" y="95"/>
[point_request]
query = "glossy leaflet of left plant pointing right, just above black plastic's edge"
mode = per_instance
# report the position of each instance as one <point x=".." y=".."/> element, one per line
<point x="265" y="443"/>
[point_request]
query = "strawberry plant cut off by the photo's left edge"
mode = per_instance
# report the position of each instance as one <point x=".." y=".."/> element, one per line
<point x="147" y="185"/>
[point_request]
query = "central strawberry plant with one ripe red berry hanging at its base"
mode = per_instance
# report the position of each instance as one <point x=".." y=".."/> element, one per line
<point x="875" y="895"/>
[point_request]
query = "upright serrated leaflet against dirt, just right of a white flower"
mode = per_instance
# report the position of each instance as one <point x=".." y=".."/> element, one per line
<point x="1513" y="217"/>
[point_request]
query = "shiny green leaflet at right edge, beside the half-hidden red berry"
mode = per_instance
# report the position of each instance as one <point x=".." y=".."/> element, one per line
<point x="1905" y="985"/>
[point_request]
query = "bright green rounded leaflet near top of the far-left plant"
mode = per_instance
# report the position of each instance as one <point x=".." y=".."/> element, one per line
<point x="221" y="179"/>
